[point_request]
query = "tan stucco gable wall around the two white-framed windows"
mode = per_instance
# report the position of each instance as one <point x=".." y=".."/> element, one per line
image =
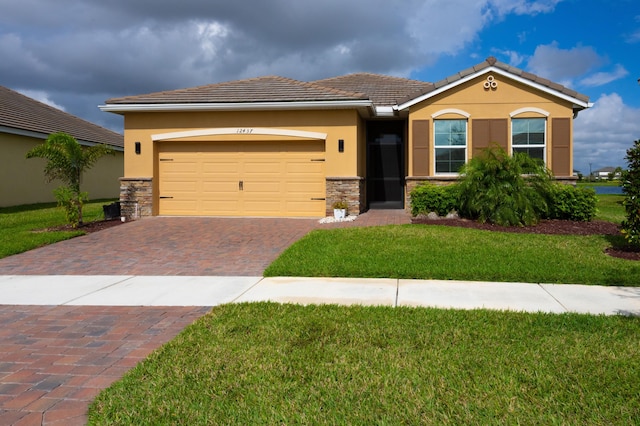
<point x="472" y="98"/>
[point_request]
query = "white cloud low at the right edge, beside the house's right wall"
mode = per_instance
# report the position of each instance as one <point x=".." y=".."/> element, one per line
<point x="603" y="133"/>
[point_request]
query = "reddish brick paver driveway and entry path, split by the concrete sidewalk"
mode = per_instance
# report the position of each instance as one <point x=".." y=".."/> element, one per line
<point x="55" y="359"/>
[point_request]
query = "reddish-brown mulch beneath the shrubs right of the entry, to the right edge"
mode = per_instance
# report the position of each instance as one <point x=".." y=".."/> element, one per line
<point x="550" y="227"/>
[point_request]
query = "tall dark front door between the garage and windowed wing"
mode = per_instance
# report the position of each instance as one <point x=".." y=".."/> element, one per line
<point x="385" y="164"/>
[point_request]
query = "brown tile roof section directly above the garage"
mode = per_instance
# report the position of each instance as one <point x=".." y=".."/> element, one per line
<point x="253" y="90"/>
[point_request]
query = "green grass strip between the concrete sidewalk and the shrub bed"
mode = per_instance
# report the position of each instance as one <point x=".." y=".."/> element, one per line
<point x="450" y="253"/>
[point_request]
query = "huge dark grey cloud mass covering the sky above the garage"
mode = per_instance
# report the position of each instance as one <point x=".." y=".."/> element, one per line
<point x="98" y="50"/>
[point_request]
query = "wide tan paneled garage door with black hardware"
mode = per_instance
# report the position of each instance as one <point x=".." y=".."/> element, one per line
<point x="242" y="178"/>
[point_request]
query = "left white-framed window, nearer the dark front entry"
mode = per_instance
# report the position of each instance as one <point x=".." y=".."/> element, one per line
<point x="450" y="145"/>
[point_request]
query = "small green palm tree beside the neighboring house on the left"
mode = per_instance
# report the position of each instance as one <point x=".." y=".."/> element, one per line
<point x="66" y="161"/>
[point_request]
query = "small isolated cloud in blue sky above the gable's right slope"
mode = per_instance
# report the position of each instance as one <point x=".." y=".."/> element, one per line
<point x="563" y="65"/>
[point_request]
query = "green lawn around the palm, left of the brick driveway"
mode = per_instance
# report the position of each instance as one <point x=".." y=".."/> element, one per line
<point x="21" y="227"/>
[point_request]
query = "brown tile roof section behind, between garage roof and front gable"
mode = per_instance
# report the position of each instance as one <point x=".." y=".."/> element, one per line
<point x="382" y="89"/>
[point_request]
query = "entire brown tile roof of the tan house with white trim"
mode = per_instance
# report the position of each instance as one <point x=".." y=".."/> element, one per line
<point x="379" y="90"/>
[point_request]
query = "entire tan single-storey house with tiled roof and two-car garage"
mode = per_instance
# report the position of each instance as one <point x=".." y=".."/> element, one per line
<point x="273" y="146"/>
